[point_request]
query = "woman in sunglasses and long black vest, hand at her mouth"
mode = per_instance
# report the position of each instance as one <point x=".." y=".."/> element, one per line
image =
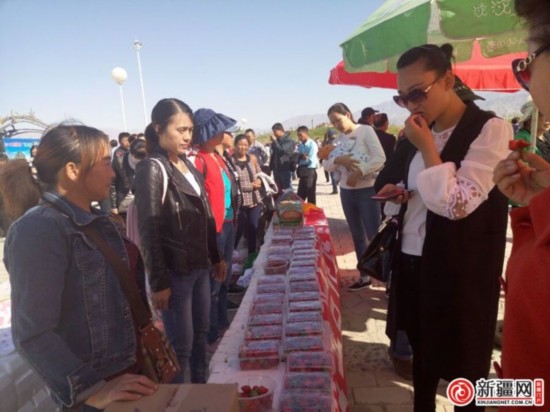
<point x="445" y="286"/>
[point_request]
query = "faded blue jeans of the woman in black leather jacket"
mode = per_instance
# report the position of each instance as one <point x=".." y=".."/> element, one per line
<point x="186" y="323"/>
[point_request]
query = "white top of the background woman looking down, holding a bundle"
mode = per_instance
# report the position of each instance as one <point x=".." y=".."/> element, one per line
<point x="363" y="144"/>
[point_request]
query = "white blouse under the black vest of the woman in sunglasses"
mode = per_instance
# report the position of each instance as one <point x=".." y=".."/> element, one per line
<point x="449" y="192"/>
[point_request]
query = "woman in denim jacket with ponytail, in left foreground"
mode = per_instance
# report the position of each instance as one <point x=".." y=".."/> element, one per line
<point x="70" y="318"/>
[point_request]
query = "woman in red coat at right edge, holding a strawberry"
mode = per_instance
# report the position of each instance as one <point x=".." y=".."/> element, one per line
<point x="525" y="178"/>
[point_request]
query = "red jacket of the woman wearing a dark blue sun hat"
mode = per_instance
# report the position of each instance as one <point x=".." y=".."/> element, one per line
<point x="213" y="183"/>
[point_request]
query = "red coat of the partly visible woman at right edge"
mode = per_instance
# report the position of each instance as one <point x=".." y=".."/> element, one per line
<point x="526" y="334"/>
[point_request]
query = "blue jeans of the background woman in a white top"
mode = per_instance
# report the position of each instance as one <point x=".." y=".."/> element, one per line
<point x="362" y="215"/>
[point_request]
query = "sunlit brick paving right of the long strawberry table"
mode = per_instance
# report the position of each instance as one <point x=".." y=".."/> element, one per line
<point x="372" y="384"/>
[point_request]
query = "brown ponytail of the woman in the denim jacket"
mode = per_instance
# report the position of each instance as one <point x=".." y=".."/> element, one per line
<point x="18" y="174"/>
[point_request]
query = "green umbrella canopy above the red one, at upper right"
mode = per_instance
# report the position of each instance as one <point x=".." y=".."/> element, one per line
<point x="399" y="25"/>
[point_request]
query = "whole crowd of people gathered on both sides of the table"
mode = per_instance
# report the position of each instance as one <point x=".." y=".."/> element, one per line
<point x="198" y="191"/>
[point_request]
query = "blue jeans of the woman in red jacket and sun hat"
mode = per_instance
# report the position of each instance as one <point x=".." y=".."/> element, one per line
<point x="218" y="290"/>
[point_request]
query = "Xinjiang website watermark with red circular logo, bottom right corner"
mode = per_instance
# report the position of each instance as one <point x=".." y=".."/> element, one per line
<point x="497" y="392"/>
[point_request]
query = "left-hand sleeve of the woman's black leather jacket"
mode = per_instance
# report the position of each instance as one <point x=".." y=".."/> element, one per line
<point x="148" y="200"/>
